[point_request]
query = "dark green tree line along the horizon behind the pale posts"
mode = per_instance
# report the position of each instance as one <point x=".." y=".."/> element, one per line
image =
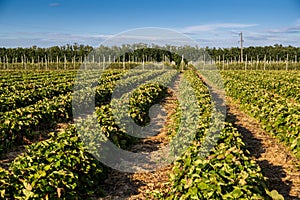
<point x="79" y="53"/>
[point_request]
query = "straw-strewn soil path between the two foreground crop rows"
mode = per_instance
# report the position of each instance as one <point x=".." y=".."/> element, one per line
<point x="120" y="185"/>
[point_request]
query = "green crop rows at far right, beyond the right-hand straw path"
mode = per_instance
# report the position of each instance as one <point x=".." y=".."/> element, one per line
<point x="271" y="97"/>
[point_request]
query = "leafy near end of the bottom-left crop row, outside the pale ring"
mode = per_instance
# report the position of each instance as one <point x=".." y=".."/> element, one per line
<point x="59" y="167"/>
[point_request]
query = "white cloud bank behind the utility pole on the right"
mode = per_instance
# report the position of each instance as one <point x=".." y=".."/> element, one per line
<point x="227" y="34"/>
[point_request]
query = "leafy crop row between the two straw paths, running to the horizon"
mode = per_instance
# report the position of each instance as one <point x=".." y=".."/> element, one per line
<point x="226" y="171"/>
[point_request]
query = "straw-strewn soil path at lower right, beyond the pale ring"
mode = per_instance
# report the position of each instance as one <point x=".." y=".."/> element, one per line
<point x="280" y="167"/>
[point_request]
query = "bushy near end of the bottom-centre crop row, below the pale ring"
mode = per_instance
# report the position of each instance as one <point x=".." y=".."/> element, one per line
<point x="227" y="173"/>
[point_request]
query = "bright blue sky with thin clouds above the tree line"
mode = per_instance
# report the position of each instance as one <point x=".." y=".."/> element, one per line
<point x="211" y="23"/>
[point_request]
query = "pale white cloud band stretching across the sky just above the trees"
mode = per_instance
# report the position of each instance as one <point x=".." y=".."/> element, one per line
<point x="213" y="35"/>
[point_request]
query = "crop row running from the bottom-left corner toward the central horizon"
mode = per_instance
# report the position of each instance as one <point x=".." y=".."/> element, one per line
<point x="61" y="167"/>
